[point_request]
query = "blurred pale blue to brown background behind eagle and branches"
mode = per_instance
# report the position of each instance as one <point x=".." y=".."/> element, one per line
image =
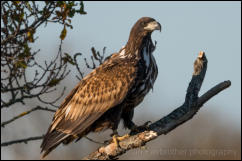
<point x="187" y="28"/>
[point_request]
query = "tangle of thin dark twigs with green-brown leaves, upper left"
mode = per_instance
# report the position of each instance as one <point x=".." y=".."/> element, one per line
<point x="19" y="22"/>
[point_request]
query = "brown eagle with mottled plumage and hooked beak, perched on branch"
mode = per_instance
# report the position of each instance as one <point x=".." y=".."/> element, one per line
<point x="109" y="93"/>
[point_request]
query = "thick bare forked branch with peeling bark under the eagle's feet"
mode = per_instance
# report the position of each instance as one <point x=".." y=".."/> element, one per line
<point x="166" y="124"/>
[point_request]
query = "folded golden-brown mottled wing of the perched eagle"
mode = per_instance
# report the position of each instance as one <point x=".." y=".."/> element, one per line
<point x="101" y="90"/>
